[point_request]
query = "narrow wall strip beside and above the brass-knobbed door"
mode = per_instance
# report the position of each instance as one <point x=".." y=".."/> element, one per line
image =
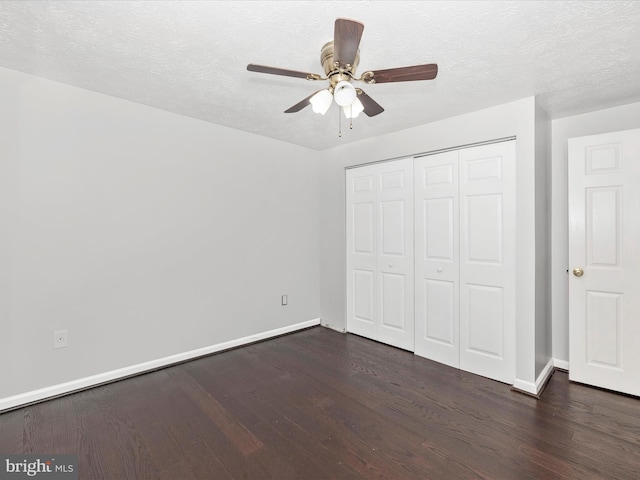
<point x="603" y="121"/>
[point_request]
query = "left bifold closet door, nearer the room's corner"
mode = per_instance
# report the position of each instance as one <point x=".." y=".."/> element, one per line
<point x="379" y="223"/>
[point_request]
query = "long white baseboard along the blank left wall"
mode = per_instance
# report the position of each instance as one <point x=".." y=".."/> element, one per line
<point x="23" y="399"/>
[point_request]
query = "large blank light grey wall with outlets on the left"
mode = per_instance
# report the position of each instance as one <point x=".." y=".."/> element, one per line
<point x="142" y="232"/>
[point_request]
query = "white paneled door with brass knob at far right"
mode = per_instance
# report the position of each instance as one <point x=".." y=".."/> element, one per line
<point x="604" y="260"/>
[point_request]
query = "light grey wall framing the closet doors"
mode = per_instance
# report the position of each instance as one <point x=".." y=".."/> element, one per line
<point x="516" y="118"/>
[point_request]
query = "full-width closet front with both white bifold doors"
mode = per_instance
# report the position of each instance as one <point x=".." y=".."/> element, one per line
<point x="459" y="236"/>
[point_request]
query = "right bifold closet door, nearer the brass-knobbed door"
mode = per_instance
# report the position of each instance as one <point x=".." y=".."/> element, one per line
<point x="465" y="259"/>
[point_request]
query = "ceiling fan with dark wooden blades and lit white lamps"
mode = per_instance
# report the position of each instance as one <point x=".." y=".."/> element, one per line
<point x="340" y="58"/>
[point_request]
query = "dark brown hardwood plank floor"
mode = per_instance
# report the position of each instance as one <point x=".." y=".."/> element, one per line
<point x="321" y="405"/>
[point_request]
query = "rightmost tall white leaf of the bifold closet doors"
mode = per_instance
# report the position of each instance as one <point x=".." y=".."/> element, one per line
<point x="487" y="260"/>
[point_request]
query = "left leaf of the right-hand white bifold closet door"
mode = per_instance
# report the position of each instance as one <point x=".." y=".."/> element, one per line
<point x="437" y="262"/>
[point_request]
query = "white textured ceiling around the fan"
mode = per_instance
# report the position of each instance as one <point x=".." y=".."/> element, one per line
<point x="190" y="57"/>
